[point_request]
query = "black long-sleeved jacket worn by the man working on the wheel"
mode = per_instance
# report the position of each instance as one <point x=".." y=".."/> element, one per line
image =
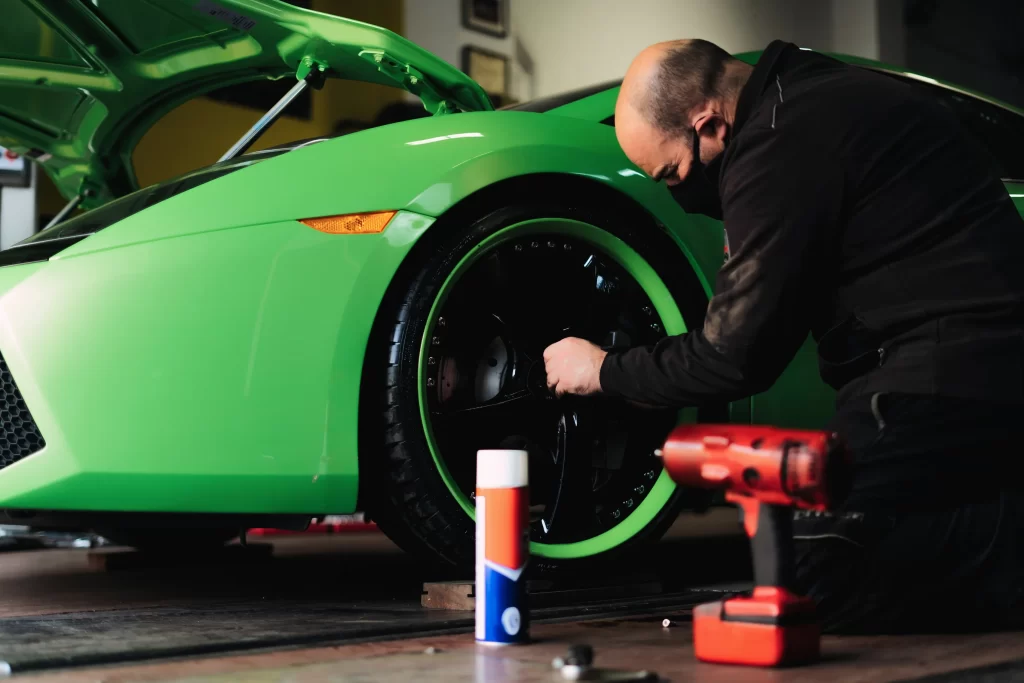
<point x="856" y="205"/>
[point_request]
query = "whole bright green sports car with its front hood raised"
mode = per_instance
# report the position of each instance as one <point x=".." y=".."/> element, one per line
<point x="339" y="325"/>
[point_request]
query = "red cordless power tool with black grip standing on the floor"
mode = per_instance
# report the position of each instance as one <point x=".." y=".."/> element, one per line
<point x="767" y="472"/>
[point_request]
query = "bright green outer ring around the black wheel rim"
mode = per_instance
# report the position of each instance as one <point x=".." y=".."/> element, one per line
<point x="672" y="319"/>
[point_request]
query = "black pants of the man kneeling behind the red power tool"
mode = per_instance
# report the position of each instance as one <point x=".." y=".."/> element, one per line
<point x="932" y="538"/>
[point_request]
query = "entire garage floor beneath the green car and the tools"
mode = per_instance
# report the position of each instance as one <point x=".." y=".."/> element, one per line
<point x="348" y="608"/>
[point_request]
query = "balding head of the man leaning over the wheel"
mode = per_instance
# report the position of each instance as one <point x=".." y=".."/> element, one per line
<point x="670" y="90"/>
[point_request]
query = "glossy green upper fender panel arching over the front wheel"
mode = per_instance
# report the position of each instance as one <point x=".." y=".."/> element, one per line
<point x="443" y="160"/>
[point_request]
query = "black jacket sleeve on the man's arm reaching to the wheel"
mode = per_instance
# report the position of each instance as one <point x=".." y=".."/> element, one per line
<point x="783" y="200"/>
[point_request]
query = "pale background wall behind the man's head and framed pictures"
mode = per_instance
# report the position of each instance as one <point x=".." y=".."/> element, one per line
<point x="574" y="44"/>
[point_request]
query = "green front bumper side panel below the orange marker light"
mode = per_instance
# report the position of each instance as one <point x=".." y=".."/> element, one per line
<point x="226" y="379"/>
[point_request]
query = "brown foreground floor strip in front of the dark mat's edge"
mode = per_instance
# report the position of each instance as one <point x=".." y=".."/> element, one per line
<point x="621" y="647"/>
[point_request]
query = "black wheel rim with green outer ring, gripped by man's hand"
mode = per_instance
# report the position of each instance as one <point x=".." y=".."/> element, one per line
<point x="595" y="483"/>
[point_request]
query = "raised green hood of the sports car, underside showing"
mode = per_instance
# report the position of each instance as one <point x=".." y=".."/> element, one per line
<point x="81" y="81"/>
